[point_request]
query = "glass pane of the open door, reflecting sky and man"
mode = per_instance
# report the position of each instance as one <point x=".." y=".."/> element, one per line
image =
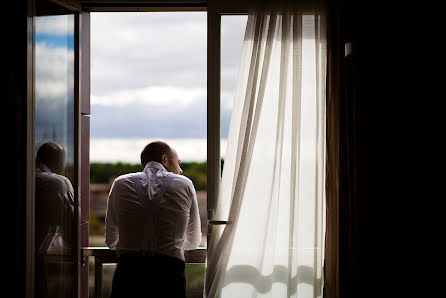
<point x="54" y="137"/>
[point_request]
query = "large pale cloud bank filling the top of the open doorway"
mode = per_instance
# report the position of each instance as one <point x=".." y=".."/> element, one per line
<point x="139" y="50"/>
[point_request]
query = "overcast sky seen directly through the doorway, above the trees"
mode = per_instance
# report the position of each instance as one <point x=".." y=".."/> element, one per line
<point x="148" y="81"/>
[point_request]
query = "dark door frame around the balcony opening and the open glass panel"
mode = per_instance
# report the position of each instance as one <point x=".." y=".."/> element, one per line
<point x="81" y="10"/>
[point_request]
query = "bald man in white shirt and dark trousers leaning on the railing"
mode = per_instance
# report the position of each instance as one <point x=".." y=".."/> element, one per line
<point x="152" y="217"/>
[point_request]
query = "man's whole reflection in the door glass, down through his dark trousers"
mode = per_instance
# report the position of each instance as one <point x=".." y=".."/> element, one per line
<point x="54" y="221"/>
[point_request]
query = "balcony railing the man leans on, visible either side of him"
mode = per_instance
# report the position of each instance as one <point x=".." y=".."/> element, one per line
<point x="104" y="255"/>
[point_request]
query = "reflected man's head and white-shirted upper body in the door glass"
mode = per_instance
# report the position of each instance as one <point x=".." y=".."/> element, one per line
<point x="54" y="201"/>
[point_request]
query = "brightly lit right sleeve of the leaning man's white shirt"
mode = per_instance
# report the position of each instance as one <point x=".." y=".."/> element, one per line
<point x="193" y="230"/>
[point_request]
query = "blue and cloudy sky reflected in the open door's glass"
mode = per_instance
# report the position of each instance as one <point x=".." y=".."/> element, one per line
<point x="54" y="81"/>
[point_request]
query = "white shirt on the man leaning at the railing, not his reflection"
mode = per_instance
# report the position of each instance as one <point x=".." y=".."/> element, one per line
<point x="179" y="226"/>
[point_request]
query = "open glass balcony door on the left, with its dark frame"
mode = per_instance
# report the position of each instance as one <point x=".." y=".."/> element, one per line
<point x="61" y="49"/>
